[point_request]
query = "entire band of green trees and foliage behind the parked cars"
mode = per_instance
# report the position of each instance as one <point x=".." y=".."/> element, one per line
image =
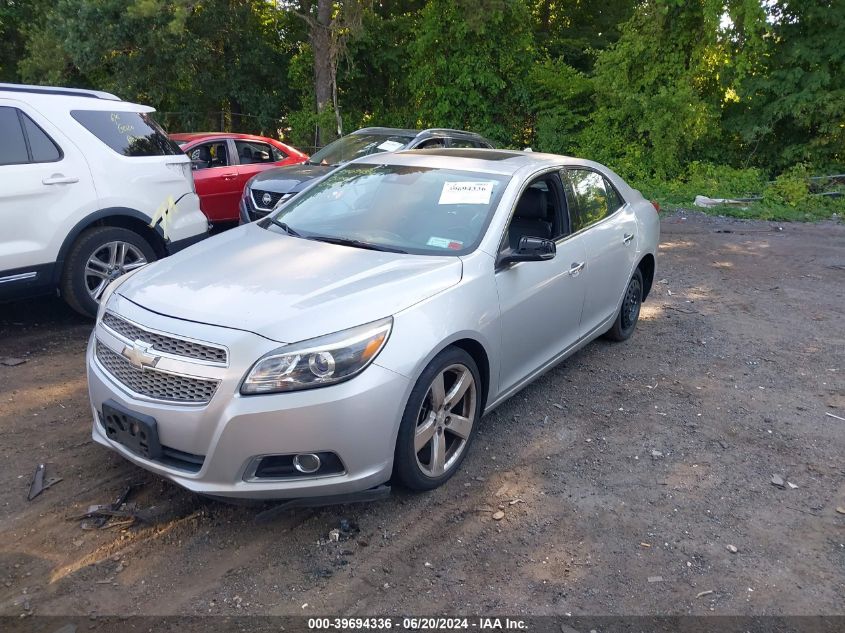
<point x="725" y="98"/>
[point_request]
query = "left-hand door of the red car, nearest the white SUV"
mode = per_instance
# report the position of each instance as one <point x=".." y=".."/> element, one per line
<point x="216" y="179"/>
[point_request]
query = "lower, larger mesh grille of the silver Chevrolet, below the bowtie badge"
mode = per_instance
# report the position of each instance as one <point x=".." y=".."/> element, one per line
<point x="156" y="384"/>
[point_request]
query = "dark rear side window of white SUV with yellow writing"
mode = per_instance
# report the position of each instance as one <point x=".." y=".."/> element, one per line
<point x="127" y="133"/>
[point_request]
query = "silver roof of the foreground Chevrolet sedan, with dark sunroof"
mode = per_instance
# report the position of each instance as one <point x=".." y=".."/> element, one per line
<point x="494" y="161"/>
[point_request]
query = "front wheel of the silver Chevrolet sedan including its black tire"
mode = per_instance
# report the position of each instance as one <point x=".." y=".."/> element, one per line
<point x="424" y="417"/>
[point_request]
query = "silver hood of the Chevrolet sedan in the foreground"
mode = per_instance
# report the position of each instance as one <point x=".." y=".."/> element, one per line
<point x="286" y="288"/>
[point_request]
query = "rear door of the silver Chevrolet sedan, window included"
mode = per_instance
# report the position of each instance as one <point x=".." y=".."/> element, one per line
<point x="609" y="227"/>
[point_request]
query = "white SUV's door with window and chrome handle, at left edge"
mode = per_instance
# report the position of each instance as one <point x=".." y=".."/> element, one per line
<point x="46" y="187"/>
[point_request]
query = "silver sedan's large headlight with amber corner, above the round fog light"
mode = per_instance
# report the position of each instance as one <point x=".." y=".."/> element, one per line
<point x="319" y="361"/>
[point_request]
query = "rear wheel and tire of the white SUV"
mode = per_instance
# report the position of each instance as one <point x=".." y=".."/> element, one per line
<point x="80" y="283"/>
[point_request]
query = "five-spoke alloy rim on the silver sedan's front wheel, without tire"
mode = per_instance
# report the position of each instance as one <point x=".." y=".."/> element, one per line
<point x="445" y="420"/>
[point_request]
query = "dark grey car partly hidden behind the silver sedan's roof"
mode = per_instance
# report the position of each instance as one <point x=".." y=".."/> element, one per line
<point x="267" y="189"/>
